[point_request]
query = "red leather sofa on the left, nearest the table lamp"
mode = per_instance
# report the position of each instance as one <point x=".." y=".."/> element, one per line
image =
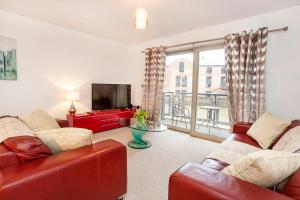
<point x="97" y="171"/>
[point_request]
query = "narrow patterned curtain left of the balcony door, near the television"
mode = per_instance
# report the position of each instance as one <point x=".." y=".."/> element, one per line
<point x="153" y="83"/>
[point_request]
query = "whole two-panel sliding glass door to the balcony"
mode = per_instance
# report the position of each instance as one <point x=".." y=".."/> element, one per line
<point x="195" y="93"/>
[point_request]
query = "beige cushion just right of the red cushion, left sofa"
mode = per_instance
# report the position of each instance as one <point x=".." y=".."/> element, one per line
<point x="65" y="138"/>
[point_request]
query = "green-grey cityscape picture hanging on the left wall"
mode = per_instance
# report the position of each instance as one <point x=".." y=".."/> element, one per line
<point x="8" y="59"/>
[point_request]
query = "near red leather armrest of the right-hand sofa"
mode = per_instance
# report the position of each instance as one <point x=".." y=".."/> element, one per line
<point x="194" y="181"/>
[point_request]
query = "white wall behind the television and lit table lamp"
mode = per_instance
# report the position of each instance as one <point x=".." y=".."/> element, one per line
<point x="52" y="60"/>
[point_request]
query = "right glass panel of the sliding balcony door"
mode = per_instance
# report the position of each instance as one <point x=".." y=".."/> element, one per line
<point x="211" y="106"/>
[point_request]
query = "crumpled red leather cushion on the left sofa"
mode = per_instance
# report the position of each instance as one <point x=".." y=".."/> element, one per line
<point x="27" y="147"/>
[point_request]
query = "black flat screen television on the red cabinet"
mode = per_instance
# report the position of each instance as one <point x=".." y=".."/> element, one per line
<point x="111" y="96"/>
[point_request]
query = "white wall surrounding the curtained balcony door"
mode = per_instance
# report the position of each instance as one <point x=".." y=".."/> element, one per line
<point x="283" y="56"/>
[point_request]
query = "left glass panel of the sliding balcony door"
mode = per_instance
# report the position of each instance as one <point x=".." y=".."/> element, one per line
<point x="177" y="92"/>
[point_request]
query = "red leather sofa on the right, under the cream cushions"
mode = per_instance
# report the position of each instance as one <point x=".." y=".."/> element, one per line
<point x="204" y="180"/>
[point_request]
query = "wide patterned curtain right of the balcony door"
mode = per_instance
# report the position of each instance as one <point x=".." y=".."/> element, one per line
<point x="245" y="66"/>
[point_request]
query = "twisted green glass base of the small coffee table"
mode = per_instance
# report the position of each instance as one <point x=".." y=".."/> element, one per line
<point x="138" y="142"/>
